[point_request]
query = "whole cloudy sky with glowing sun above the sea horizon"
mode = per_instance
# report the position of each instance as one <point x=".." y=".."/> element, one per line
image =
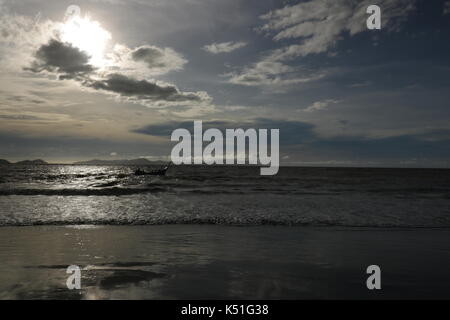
<point x="113" y="80"/>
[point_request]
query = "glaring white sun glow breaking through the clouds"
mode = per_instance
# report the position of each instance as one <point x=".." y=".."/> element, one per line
<point x="88" y="36"/>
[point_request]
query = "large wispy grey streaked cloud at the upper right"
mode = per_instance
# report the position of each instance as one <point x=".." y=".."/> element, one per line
<point x="319" y="25"/>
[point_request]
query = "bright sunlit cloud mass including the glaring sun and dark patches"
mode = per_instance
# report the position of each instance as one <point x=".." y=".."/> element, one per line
<point x="77" y="50"/>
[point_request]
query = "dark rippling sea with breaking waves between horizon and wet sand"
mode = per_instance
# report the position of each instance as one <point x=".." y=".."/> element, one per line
<point x="107" y="195"/>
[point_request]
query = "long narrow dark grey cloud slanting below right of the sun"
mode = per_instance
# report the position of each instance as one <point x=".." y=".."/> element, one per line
<point x="141" y="89"/>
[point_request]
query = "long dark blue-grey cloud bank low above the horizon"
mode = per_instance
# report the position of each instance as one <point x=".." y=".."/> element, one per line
<point x="293" y="134"/>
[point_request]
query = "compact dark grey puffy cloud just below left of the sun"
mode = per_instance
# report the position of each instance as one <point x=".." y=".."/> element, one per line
<point x="62" y="58"/>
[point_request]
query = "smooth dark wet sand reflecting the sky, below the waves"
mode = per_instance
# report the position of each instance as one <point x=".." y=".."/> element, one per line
<point x="222" y="262"/>
